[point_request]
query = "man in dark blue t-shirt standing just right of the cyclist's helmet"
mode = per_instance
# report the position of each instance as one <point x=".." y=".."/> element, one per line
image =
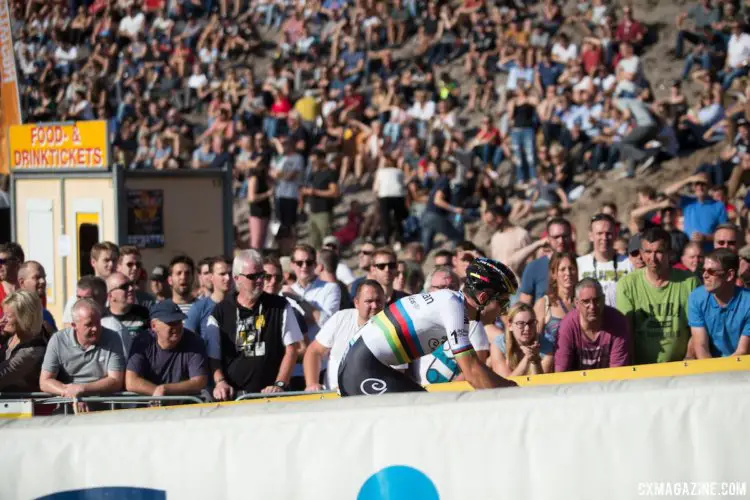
<point x="534" y="282"/>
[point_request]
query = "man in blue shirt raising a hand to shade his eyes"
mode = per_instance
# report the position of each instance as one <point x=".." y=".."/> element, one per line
<point x="701" y="213"/>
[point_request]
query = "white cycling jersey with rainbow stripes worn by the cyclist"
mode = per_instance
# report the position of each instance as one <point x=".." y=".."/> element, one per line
<point x="417" y="325"/>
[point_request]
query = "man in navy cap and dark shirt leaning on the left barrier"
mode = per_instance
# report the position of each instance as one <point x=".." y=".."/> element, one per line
<point x="169" y="360"/>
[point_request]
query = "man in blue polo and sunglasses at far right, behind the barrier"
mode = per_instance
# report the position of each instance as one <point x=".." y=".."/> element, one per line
<point x="719" y="311"/>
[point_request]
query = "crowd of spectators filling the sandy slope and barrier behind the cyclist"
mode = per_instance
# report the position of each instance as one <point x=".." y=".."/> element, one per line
<point x="465" y="119"/>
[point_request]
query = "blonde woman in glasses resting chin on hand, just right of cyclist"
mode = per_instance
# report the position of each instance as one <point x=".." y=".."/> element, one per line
<point x="517" y="352"/>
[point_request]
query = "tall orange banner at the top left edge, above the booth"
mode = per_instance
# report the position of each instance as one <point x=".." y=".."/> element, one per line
<point x="10" y="106"/>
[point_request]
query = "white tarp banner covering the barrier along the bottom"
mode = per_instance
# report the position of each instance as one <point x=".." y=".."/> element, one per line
<point x="615" y="440"/>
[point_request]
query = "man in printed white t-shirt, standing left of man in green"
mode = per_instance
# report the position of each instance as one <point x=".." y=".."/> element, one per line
<point x="604" y="264"/>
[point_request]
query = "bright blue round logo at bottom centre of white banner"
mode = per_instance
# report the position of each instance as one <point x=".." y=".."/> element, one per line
<point x="398" y="482"/>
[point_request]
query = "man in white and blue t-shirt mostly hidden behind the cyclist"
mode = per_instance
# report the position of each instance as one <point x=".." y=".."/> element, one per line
<point x="440" y="366"/>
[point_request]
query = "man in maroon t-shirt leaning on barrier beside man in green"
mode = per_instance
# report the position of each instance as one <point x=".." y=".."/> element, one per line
<point x="593" y="335"/>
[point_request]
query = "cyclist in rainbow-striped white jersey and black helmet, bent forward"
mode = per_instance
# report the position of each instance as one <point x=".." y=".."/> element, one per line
<point x="419" y="324"/>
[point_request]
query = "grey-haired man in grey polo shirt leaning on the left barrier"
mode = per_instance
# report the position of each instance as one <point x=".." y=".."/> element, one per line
<point x="83" y="359"/>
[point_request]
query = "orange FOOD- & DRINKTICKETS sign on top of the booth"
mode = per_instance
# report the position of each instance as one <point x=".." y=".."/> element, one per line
<point x="59" y="145"/>
